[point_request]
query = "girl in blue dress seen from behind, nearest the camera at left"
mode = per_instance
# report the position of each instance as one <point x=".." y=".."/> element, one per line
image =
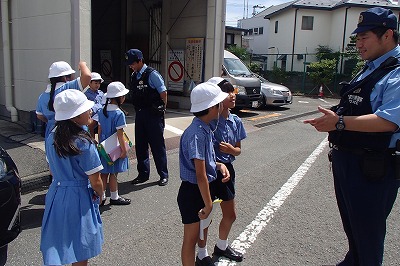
<point x="72" y="227"/>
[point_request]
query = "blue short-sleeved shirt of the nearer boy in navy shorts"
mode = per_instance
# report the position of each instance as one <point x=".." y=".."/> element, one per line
<point x="196" y="143"/>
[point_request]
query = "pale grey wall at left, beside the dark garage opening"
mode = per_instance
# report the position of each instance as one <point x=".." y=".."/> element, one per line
<point x="42" y="32"/>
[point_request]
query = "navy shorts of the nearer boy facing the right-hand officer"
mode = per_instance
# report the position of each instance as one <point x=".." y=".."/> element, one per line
<point x="190" y="201"/>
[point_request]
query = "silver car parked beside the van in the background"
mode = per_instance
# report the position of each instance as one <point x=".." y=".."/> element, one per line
<point x="274" y="94"/>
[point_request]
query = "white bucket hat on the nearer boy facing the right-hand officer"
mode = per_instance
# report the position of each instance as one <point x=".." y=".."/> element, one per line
<point x="206" y="95"/>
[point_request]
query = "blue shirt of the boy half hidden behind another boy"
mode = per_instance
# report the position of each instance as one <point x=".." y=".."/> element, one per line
<point x="228" y="130"/>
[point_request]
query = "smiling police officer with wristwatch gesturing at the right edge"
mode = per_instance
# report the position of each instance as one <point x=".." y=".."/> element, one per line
<point x="363" y="131"/>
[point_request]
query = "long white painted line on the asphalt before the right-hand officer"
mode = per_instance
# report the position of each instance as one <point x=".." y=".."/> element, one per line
<point x="249" y="235"/>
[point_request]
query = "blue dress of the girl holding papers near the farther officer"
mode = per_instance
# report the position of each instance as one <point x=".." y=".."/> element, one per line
<point x="109" y="125"/>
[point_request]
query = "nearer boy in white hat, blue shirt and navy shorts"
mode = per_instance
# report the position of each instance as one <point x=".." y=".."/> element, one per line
<point x="198" y="170"/>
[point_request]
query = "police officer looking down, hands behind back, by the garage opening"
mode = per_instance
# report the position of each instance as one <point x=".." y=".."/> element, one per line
<point x="149" y="96"/>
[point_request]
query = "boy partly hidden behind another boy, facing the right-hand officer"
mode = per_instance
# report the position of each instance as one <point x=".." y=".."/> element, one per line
<point x="228" y="133"/>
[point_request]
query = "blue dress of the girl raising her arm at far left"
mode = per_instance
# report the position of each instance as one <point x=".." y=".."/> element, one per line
<point x="43" y="101"/>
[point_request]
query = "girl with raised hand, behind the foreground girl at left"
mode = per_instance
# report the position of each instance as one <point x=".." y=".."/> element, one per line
<point x="61" y="78"/>
